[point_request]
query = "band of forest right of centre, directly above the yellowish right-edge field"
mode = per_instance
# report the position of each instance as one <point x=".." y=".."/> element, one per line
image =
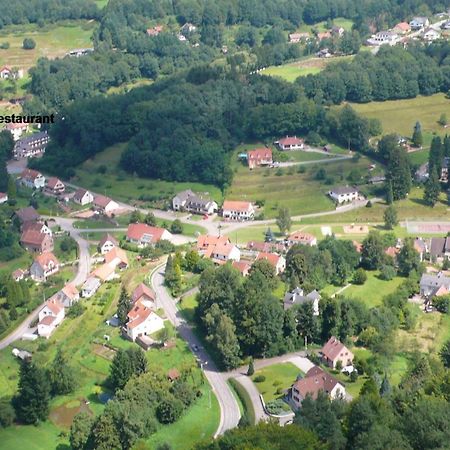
<point x="393" y="73"/>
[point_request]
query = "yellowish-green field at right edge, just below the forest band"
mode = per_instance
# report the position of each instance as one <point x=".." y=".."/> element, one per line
<point x="399" y="116"/>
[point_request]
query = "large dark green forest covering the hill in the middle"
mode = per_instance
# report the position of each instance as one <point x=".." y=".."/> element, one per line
<point x="184" y="128"/>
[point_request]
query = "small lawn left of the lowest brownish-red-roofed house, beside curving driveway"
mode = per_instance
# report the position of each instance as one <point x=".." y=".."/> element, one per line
<point x="278" y="377"/>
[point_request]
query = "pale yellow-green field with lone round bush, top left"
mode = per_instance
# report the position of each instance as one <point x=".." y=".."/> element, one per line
<point x="51" y="41"/>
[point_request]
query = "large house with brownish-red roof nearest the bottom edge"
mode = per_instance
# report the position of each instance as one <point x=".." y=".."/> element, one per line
<point x="314" y="381"/>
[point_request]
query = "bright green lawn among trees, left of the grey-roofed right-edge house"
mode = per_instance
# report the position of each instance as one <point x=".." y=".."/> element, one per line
<point x="373" y="290"/>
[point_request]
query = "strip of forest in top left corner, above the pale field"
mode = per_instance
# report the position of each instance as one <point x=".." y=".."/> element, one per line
<point x="45" y="11"/>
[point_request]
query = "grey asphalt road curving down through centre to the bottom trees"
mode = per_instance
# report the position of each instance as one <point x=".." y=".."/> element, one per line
<point x="229" y="409"/>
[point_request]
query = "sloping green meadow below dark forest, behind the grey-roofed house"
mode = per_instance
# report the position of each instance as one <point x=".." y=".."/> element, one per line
<point x="122" y="186"/>
